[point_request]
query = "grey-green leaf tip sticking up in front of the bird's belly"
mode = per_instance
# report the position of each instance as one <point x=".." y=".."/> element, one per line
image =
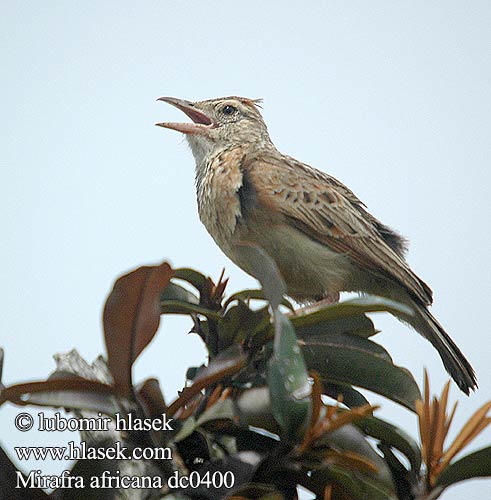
<point x="265" y="270"/>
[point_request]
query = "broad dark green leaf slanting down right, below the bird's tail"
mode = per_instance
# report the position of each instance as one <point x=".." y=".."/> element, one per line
<point x="348" y="359"/>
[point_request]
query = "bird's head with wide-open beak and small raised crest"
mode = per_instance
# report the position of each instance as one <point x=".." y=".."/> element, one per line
<point x="219" y="123"/>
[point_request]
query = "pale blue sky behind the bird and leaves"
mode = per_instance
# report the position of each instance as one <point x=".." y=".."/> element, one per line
<point x="390" y="97"/>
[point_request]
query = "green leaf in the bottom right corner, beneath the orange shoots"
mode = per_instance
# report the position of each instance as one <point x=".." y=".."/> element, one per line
<point x="477" y="464"/>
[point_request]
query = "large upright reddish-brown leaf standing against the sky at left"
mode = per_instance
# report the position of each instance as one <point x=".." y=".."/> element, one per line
<point x="131" y="318"/>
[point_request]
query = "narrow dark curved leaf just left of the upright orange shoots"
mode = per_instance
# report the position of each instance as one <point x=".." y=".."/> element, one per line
<point x="392" y="436"/>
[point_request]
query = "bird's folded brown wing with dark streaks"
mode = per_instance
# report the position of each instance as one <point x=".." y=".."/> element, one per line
<point x="327" y="211"/>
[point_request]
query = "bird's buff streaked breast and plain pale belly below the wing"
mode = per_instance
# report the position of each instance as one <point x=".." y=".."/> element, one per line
<point x="230" y="214"/>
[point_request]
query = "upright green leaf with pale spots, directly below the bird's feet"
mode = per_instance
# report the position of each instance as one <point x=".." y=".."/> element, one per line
<point x="288" y="380"/>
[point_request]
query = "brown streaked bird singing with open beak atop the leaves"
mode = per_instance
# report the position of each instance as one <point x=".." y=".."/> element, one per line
<point x="319" y="233"/>
